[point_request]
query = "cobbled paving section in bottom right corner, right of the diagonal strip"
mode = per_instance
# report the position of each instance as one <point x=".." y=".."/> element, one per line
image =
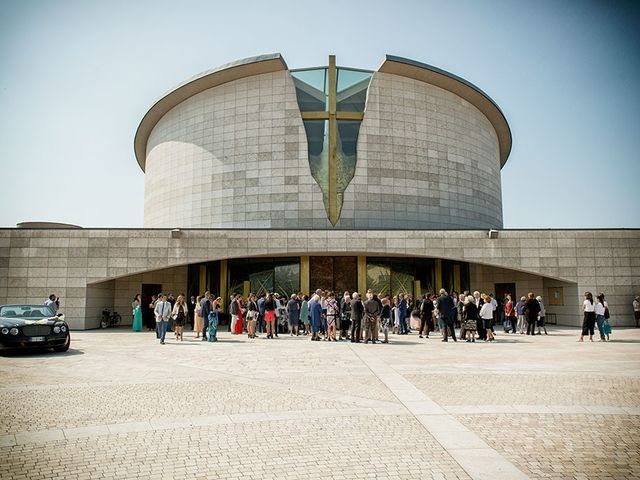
<point x="564" y="445"/>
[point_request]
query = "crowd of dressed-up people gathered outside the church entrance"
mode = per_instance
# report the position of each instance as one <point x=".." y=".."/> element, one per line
<point x="327" y="316"/>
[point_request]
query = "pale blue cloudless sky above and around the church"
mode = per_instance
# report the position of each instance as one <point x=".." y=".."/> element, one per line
<point x="76" y="77"/>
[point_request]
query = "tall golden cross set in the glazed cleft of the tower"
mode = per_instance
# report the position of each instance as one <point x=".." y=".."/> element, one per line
<point x="332" y="115"/>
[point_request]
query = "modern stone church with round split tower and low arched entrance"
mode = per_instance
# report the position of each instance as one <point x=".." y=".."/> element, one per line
<point x="259" y="178"/>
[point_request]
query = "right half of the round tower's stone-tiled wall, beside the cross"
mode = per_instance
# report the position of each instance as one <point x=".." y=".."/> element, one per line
<point x="426" y="159"/>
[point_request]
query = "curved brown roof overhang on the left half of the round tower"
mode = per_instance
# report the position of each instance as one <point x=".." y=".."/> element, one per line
<point x="201" y="82"/>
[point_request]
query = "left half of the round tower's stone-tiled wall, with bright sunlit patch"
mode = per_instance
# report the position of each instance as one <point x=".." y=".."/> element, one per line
<point x="233" y="156"/>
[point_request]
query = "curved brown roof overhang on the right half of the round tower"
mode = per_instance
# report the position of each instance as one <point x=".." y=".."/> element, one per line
<point x="454" y="84"/>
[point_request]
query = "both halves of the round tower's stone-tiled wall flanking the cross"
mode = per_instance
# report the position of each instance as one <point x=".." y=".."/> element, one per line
<point x="236" y="156"/>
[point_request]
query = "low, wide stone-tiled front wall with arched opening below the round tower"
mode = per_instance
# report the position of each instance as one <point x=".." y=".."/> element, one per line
<point x="35" y="263"/>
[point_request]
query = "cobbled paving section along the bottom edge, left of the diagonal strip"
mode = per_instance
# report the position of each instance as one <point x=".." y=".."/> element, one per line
<point x="296" y="449"/>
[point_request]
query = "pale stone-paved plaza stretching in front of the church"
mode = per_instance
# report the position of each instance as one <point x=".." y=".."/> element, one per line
<point x="119" y="405"/>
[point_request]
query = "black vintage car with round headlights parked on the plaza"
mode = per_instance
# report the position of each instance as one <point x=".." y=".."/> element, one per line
<point x="33" y="326"/>
